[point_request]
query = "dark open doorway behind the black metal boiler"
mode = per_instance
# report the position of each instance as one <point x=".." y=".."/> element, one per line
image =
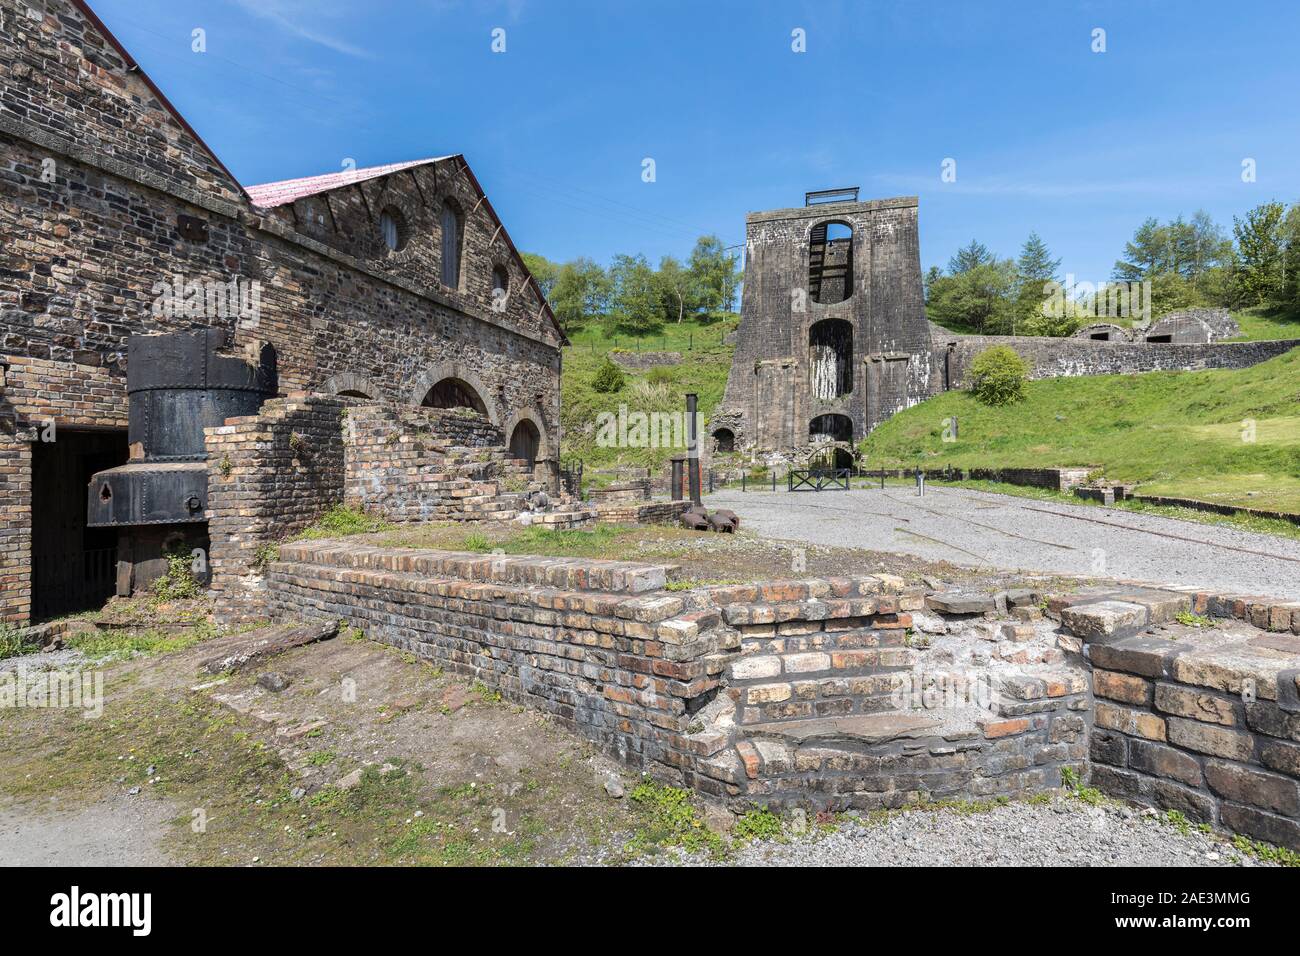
<point x="73" y="568"/>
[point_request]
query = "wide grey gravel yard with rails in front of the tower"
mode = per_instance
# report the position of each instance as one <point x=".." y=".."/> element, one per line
<point x="982" y="530"/>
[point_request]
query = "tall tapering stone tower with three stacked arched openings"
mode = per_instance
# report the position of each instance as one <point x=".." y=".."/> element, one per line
<point x="833" y="339"/>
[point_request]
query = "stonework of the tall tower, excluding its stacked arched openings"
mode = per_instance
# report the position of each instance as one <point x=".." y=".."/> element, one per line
<point x="770" y="393"/>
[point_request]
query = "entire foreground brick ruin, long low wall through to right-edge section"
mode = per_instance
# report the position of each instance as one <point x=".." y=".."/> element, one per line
<point x="853" y="693"/>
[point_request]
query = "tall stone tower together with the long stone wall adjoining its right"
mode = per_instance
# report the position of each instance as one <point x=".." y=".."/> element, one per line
<point x="834" y="338"/>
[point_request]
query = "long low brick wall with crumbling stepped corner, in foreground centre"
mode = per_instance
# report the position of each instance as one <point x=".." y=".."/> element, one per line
<point x="782" y="694"/>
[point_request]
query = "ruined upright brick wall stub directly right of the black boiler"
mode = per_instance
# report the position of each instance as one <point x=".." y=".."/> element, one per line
<point x="270" y="475"/>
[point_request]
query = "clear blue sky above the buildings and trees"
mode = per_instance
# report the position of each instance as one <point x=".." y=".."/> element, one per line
<point x="1047" y="135"/>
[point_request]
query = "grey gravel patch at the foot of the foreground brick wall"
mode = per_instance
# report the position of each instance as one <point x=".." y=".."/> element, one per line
<point x="1063" y="833"/>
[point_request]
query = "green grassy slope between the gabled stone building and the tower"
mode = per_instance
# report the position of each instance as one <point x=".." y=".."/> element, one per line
<point x="704" y="369"/>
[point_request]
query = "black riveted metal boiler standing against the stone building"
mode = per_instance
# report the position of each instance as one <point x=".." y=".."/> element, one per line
<point x="177" y="384"/>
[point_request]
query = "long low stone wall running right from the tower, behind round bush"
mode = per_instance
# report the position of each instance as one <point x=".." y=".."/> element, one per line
<point x="1052" y="358"/>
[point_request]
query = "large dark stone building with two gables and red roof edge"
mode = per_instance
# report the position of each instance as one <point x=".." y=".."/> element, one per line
<point x="396" y="283"/>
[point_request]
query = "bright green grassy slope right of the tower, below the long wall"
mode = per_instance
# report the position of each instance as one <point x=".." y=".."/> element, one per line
<point x="1177" y="434"/>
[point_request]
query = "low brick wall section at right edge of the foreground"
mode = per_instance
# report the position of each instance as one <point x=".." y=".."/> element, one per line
<point x="1206" y="725"/>
